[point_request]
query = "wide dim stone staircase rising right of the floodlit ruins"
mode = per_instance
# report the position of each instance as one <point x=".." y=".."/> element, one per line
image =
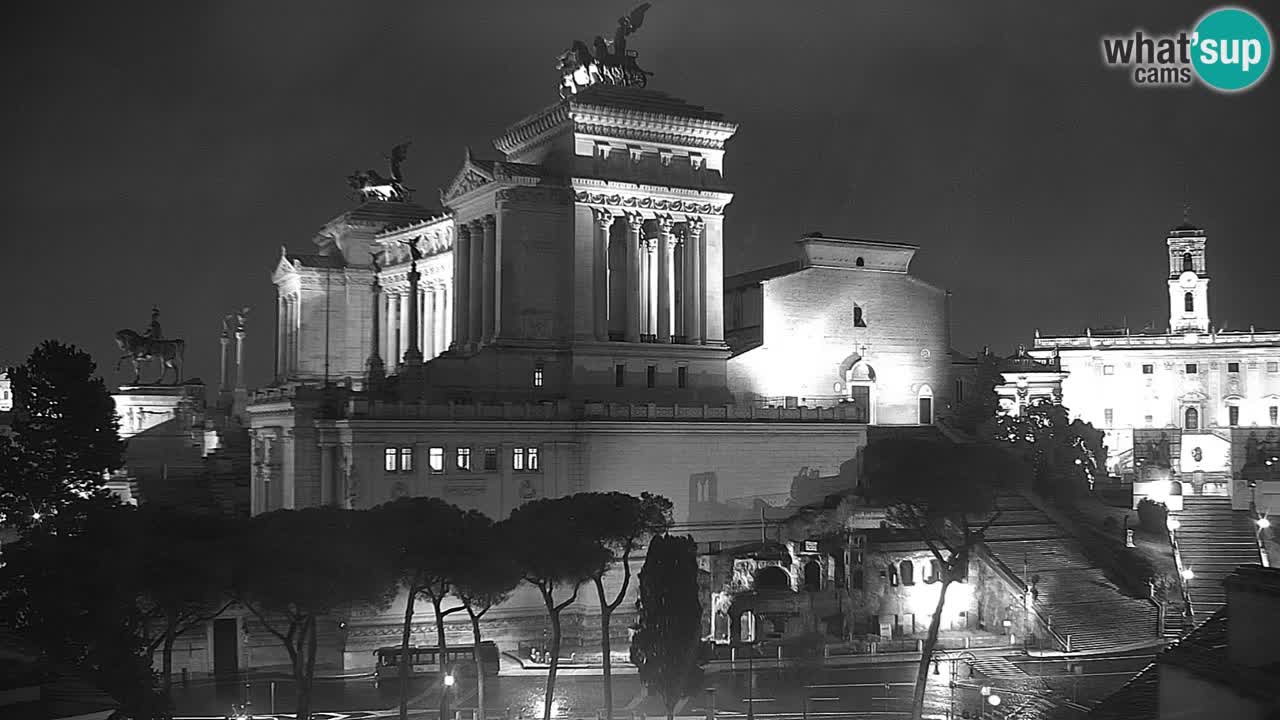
<point x="1072" y="593"/>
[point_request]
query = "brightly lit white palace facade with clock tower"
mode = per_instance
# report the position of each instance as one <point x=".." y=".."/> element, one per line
<point x="1194" y="405"/>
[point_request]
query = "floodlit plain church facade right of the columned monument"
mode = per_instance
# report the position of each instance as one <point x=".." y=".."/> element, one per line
<point x="848" y="317"/>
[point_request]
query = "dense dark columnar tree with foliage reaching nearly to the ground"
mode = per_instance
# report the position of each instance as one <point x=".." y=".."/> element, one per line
<point x="668" y="644"/>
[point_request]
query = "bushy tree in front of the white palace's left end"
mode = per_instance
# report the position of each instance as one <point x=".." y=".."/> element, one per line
<point x="1067" y="457"/>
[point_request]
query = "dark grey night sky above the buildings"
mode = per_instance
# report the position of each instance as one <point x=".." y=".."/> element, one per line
<point x="162" y="153"/>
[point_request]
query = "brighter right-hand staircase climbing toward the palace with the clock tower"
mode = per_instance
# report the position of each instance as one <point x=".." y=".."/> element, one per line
<point x="1213" y="541"/>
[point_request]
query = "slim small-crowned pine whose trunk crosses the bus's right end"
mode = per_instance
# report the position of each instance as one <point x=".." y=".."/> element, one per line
<point x="484" y="581"/>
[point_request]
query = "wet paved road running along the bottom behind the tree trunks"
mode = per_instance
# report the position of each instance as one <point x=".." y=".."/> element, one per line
<point x="865" y="691"/>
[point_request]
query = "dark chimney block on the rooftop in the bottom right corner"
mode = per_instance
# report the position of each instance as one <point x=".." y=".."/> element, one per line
<point x="1252" y="607"/>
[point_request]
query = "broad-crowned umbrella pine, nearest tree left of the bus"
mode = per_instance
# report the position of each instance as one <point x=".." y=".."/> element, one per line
<point x="303" y="566"/>
